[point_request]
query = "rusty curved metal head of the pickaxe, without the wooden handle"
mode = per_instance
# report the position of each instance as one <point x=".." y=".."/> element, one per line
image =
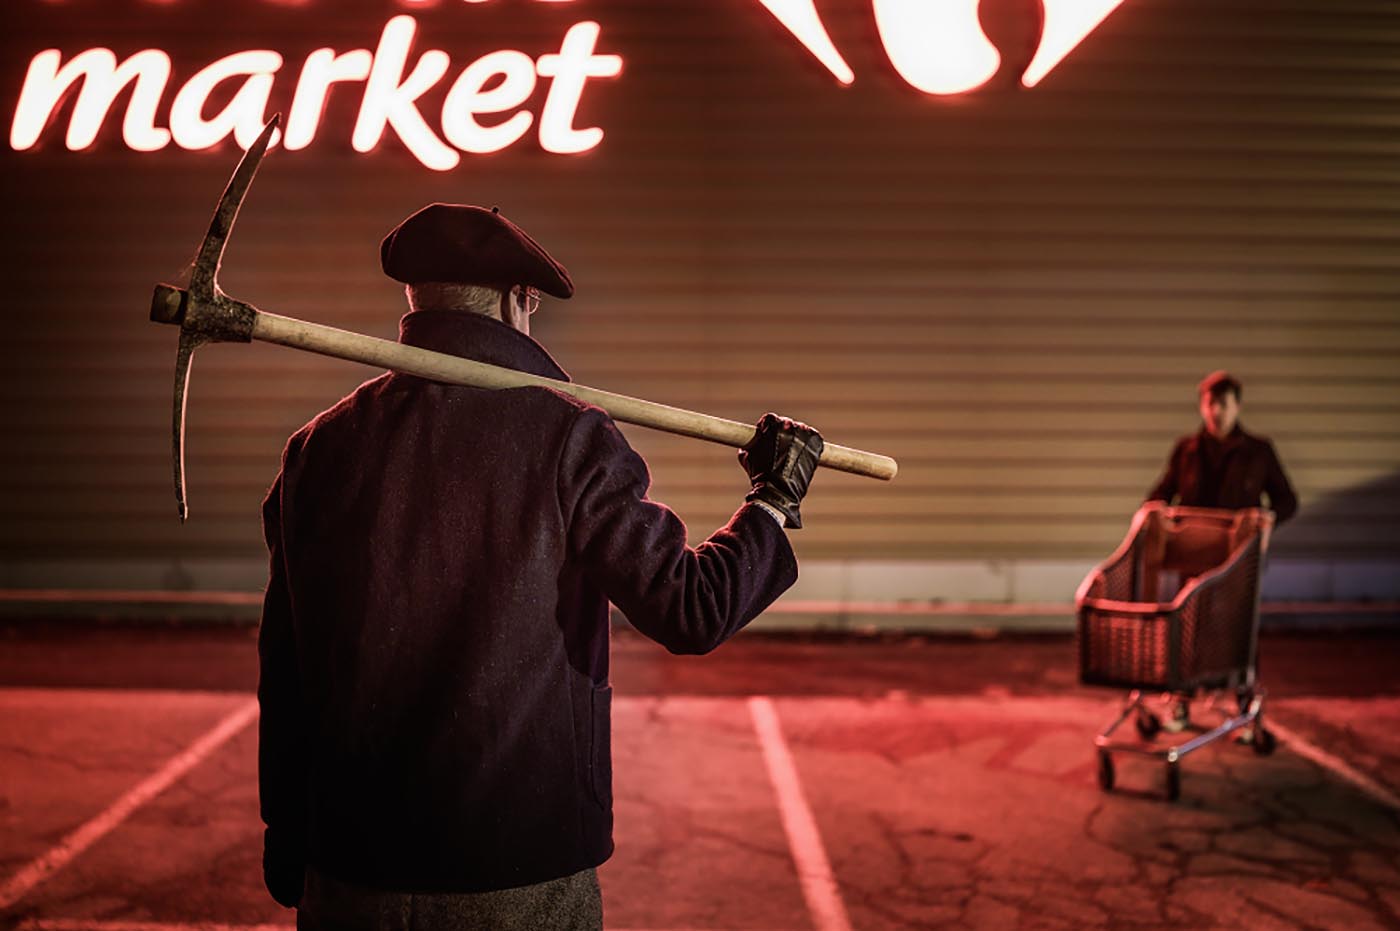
<point x="204" y="313"/>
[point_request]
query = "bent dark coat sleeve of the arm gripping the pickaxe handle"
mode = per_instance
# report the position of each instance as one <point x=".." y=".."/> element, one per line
<point x="635" y="549"/>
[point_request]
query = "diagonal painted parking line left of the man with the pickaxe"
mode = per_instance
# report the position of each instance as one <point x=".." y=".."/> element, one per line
<point x="59" y="856"/>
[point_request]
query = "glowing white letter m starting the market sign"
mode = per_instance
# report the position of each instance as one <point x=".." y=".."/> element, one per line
<point x="103" y="80"/>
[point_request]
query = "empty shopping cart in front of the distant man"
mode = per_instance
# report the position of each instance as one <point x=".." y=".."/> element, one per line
<point x="1174" y="614"/>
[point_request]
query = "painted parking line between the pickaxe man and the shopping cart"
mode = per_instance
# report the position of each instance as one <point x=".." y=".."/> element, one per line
<point x="824" y="897"/>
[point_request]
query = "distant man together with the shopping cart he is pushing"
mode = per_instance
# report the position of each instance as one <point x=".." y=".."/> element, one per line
<point x="1175" y="611"/>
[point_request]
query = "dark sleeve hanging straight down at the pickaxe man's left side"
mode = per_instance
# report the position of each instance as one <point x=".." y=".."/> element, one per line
<point x="282" y="765"/>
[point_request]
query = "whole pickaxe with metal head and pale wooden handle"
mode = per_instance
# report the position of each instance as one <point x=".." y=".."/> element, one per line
<point x="205" y="314"/>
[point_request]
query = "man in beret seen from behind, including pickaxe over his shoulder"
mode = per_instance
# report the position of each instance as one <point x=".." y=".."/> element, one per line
<point x="436" y="713"/>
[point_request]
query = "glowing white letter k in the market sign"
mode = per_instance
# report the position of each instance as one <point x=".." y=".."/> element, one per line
<point x="390" y="99"/>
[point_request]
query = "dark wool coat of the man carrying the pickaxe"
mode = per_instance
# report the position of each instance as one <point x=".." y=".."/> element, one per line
<point x="435" y="638"/>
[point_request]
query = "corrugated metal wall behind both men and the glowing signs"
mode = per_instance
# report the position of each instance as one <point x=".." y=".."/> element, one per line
<point x="1011" y="292"/>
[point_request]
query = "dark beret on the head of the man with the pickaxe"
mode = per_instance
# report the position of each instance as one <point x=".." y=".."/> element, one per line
<point x="470" y="246"/>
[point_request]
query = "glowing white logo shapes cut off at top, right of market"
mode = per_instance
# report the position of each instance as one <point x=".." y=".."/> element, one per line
<point x="939" y="47"/>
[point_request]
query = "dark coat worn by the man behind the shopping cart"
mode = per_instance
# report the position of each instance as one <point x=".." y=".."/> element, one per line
<point x="1226" y="474"/>
